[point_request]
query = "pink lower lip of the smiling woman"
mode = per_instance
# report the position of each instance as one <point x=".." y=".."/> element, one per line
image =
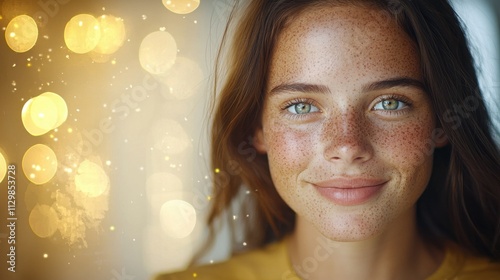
<point x="350" y="196"/>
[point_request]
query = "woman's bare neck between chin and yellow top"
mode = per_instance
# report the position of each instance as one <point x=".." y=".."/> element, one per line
<point x="397" y="253"/>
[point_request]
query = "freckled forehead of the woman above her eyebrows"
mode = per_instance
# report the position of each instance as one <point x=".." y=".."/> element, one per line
<point x="339" y="40"/>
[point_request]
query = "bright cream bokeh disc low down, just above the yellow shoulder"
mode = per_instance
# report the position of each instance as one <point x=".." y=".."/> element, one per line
<point x="177" y="218"/>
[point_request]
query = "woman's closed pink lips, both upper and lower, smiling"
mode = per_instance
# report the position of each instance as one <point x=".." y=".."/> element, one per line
<point x="350" y="191"/>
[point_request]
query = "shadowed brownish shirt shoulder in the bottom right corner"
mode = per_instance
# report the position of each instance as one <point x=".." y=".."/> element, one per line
<point x="460" y="265"/>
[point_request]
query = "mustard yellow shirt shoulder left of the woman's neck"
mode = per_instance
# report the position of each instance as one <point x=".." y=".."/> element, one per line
<point x="270" y="262"/>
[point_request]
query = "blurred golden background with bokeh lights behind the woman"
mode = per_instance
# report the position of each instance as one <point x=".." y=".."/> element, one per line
<point x="103" y="118"/>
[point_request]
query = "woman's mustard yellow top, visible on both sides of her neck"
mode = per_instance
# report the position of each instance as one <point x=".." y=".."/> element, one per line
<point x="272" y="263"/>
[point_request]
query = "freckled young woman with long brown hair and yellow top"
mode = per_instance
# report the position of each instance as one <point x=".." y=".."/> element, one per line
<point x="374" y="156"/>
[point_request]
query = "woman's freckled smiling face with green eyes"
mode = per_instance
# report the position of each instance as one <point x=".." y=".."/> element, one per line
<point x="346" y="123"/>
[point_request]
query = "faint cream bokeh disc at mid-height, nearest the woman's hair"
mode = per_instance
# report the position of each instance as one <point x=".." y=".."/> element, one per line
<point x="169" y="137"/>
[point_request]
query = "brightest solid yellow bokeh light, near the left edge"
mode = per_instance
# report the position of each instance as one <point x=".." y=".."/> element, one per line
<point x="43" y="113"/>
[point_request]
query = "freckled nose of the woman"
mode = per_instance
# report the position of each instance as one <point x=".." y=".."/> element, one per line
<point x="346" y="139"/>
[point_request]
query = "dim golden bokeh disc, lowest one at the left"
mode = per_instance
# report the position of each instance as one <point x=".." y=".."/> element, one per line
<point x="43" y="220"/>
